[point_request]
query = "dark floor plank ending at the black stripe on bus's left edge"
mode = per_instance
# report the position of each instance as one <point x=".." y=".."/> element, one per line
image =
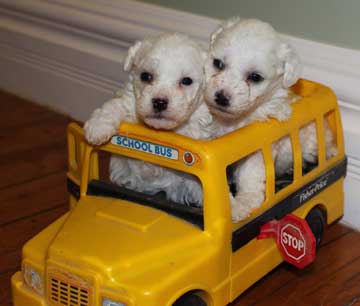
<point x="26" y="199"/>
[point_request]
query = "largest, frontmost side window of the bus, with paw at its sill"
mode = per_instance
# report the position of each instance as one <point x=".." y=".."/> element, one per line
<point x="247" y="183"/>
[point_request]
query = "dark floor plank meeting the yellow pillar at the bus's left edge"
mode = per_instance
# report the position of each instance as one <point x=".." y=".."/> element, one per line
<point x="31" y="164"/>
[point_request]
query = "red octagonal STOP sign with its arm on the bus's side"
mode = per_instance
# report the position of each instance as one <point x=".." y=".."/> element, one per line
<point x="294" y="238"/>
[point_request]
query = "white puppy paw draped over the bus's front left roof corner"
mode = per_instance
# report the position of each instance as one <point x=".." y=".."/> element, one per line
<point x="98" y="132"/>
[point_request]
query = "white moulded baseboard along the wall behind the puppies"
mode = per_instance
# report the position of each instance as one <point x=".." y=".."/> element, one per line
<point x="68" y="55"/>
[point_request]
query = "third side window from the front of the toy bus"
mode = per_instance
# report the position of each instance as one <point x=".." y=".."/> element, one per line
<point x="309" y="147"/>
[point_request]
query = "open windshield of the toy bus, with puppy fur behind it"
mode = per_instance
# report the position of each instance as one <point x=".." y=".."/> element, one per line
<point x="147" y="184"/>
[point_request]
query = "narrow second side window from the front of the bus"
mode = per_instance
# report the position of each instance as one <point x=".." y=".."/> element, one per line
<point x="283" y="157"/>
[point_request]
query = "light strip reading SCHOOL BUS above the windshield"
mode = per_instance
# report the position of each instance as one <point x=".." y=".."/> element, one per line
<point x="146" y="147"/>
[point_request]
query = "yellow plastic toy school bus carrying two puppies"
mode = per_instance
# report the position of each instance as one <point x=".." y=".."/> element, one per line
<point x="118" y="247"/>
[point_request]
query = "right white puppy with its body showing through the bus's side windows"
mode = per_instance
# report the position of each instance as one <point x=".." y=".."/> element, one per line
<point x="249" y="71"/>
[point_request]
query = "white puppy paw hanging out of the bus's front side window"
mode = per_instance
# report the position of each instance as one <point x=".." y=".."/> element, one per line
<point x="244" y="203"/>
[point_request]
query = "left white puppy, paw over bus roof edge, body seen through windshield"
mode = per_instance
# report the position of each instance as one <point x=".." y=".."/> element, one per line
<point x="165" y="91"/>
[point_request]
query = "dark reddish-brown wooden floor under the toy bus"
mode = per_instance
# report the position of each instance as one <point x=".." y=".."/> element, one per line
<point x="33" y="194"/>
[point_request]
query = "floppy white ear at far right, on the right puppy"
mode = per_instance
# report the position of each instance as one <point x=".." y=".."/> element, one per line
<point x="290" y="64"/>
